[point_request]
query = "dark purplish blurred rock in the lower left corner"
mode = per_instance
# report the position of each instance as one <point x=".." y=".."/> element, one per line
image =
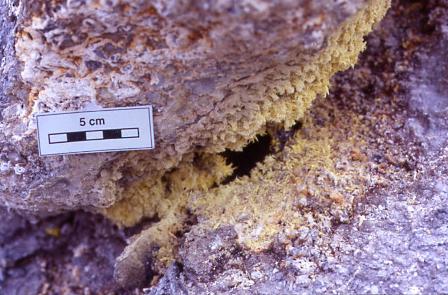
<point x="67" y="254"/>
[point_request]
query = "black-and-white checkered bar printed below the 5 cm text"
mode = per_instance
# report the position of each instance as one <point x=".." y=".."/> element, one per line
<point x="93" y="135"/>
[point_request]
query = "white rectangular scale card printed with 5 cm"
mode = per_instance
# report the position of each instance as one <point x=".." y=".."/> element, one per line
<point x="95" y="131"/>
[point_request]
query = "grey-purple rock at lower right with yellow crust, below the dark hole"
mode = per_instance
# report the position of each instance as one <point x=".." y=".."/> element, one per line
<point x="396" y="227"/>
